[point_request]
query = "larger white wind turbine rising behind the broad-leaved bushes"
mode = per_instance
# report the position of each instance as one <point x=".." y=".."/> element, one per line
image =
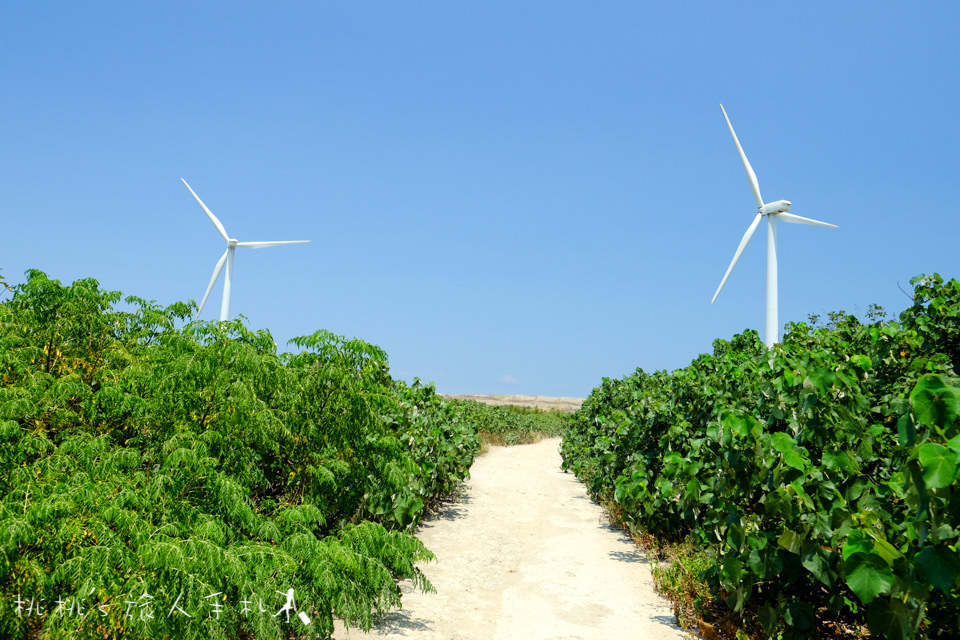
<point x="773" y="211"/>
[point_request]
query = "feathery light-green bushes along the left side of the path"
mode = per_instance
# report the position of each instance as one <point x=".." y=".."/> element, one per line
<point x="166" y="478"/>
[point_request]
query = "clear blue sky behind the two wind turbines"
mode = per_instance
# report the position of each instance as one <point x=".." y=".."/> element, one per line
<point x="507" y="197"/>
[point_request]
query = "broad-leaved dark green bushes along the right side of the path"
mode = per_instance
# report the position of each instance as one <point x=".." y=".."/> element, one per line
<point x="821" y="474"/>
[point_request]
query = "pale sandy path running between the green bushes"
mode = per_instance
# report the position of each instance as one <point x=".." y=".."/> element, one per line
<point x="525" y="554"/>
